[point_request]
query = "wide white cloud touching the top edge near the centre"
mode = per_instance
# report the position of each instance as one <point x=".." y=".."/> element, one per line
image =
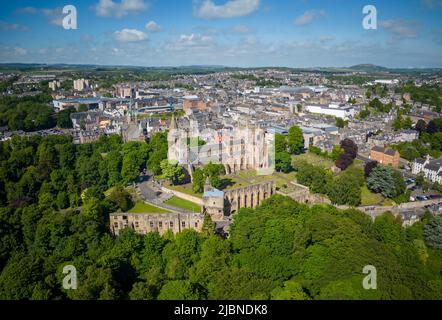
<point x="207" y="9"/>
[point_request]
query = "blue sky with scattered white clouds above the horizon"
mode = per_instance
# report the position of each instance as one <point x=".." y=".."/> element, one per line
<point x="236" y="33"/>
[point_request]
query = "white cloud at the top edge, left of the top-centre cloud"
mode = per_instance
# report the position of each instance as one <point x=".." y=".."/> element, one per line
<point x="109" y="8"/>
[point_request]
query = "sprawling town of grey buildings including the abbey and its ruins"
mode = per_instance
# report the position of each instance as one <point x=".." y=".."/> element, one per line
<point x="379" y="116"/>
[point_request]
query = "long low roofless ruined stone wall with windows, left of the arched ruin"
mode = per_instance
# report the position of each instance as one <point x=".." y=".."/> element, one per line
<point x="144" y="223"/>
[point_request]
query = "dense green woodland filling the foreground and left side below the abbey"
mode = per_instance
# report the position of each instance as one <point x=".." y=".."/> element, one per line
<point x="54" y="213"/>
